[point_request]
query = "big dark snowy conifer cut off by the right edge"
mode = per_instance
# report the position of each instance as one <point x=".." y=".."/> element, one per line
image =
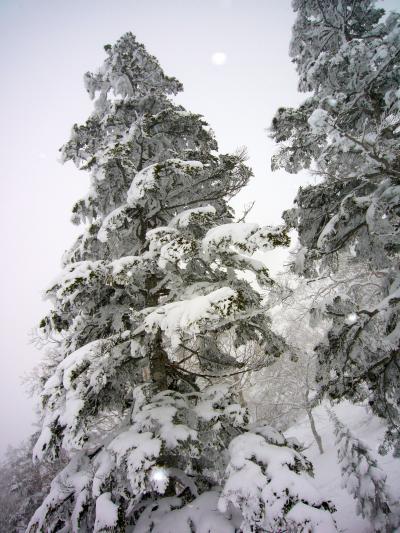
<point x="347" y="131"/>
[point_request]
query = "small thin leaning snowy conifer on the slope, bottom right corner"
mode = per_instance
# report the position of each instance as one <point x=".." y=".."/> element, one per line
<point x="364" y="480"/>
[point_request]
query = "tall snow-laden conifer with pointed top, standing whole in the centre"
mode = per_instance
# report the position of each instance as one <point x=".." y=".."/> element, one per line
<point x="135" y="394"/>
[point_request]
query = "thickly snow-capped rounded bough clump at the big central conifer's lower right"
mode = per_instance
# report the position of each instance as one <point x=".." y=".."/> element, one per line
<point x="261" y="478"/>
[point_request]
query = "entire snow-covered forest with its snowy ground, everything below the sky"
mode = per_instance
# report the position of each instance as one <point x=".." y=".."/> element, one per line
<point x="183" y="387"/>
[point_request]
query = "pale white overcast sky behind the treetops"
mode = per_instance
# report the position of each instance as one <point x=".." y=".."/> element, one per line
<point x="46" y="46"/>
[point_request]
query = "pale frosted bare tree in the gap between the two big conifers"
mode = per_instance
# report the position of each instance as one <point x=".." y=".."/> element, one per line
<point x="281" y="393"/>
